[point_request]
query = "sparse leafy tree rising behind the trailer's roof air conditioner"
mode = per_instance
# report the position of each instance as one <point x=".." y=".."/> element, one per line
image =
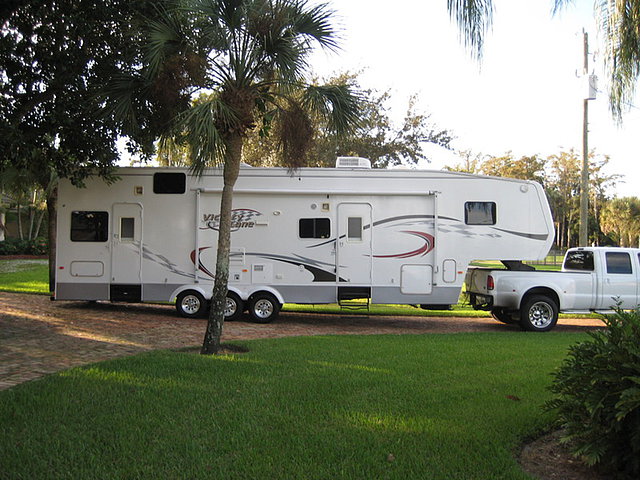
<point x="376" y="137"/>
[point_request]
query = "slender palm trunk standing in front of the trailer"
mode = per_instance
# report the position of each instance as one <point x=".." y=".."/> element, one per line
<point x="211" y="342"/>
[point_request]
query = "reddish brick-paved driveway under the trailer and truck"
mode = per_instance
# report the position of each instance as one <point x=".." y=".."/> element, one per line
<point x="38" y="336"/>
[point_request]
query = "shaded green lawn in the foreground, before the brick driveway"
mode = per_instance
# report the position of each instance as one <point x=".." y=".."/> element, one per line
<point x="372" y="407"/>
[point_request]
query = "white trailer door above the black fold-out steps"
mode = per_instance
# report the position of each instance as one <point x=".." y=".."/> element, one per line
<point x="353" y="246"/>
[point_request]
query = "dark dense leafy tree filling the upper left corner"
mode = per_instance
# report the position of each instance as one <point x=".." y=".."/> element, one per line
<point x="55" y="57"/>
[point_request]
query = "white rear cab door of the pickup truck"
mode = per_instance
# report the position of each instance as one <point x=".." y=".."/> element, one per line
<point x="619" y="282"/>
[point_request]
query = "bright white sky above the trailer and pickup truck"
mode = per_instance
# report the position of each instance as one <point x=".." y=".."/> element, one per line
<point x="524" y="96"/>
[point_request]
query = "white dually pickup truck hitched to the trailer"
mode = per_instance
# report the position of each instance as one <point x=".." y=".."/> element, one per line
<point x="593" y="279"/>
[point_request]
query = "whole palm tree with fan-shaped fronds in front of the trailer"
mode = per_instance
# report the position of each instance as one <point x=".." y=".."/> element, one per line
<point x="249" y="56"/>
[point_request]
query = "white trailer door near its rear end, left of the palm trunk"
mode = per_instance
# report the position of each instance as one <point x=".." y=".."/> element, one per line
<point x="126" y="252"/>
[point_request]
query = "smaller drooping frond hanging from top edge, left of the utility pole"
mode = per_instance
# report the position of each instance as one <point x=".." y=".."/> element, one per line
<point x="474" y="19"/>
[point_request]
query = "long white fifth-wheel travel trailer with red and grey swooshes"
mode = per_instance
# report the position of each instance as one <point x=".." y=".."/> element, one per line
<point x="310" y="236"/>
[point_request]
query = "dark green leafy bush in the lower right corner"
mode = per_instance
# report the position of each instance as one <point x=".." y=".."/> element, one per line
<point x="598" y="396"/>
